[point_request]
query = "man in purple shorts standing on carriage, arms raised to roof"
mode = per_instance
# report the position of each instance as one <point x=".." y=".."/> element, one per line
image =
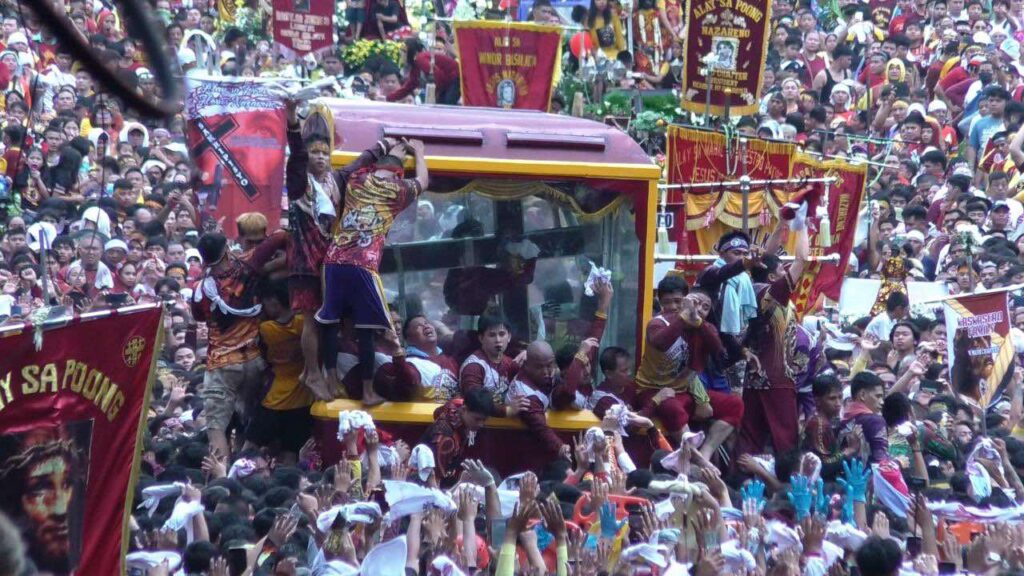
<point x="376" y="194"/>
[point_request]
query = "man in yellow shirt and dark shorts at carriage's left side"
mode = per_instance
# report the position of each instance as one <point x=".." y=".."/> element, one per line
<point x="282" y="422"/>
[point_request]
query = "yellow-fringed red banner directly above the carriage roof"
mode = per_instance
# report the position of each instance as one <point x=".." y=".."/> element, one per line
<point x="508" y="65"/>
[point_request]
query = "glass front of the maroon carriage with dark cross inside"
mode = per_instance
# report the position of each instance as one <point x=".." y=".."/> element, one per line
<point x="523" y="250"/>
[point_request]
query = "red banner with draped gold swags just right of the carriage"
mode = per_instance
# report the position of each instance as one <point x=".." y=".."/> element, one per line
<point x="702" y="216"/>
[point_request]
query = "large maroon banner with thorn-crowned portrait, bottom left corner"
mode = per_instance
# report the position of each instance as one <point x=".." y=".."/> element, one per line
<point x="72" y="415"/>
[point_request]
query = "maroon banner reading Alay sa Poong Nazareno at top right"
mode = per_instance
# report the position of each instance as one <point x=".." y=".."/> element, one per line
<point x="730" y="39"/>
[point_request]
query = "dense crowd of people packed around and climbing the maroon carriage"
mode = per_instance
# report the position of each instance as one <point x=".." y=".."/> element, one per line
<point x="740" y="440"/>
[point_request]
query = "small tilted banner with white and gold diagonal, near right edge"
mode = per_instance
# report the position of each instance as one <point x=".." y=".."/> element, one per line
<point x="982" y="351"/>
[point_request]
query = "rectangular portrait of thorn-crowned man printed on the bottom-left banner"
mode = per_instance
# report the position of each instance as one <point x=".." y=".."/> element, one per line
<point x="45" y="473"/>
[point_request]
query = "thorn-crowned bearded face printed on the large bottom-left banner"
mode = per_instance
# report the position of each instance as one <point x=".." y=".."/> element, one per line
<point x="49" y="492"/>
